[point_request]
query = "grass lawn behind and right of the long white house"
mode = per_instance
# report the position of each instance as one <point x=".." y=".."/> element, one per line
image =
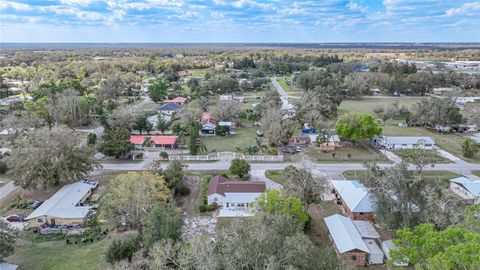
<point x="449" y="142"/>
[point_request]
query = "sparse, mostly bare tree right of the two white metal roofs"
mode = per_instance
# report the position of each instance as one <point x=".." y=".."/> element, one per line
<point x="403" y="198"/>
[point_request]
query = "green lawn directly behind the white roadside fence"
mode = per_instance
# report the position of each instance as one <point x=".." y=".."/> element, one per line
<point x="244" y="138"/>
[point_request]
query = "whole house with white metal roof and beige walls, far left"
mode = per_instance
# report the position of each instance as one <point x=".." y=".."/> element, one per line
<point x="65" y="207"/>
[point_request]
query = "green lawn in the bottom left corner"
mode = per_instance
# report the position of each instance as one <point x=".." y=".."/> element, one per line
<point x="58" y="255"/>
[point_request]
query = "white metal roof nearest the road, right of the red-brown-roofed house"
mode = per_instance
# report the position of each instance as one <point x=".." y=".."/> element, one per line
<point x="354" y="194"/>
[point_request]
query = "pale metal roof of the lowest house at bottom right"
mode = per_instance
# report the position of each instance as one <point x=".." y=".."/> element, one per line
<point x="344" y="234"/>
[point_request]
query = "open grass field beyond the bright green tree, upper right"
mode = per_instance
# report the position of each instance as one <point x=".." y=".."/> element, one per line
<point x="367" y="105"/>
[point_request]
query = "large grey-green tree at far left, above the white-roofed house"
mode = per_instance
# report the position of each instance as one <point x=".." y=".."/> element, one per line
<point x="49" y="158"/>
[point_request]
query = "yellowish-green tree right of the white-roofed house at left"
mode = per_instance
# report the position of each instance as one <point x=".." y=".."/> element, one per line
<point x="131" y="196"/>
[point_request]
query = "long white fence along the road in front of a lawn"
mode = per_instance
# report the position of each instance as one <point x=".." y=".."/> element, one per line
<point x="226" y="156"/>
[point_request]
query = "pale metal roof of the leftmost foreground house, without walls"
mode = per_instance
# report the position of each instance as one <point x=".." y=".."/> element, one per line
<point x="64" y="203"/>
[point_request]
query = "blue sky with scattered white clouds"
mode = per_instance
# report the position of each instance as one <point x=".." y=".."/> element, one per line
<point x="239" y="21"/>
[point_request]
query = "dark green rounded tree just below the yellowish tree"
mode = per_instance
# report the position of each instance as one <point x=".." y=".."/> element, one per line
<point x="164" y="221"/>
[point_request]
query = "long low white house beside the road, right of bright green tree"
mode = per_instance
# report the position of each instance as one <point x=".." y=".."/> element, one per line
<point x="404" y="142"/>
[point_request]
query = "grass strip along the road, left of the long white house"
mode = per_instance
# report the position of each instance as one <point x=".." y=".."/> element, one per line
<point x="345" y="154"/>
